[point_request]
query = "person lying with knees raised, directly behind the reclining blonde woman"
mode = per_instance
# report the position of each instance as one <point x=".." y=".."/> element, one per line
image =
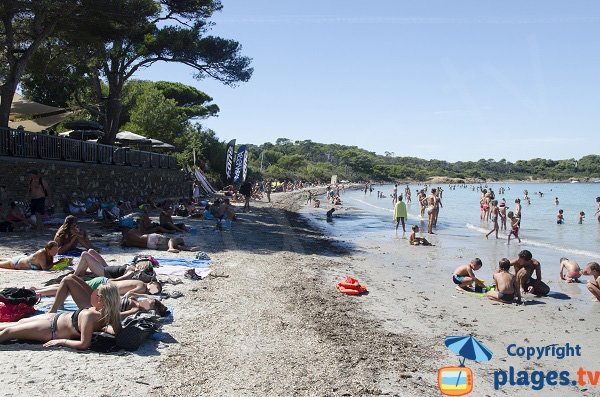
<point x="83" y="295"/>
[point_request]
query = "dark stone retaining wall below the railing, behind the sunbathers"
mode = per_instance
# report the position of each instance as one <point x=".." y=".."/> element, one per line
<point x="91" y="180"/>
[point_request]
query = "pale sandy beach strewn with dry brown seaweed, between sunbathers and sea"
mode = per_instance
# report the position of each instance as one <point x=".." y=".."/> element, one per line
<point x="270" y="321"/>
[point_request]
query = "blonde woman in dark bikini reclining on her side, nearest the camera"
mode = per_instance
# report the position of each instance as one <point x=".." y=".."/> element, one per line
<point x="72" y="330"/>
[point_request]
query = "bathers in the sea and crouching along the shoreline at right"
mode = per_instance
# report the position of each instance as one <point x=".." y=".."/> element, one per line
<point x="507" y="287"/>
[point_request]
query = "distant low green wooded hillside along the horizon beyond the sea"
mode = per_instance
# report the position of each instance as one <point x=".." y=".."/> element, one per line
<point x="307" y="160"/>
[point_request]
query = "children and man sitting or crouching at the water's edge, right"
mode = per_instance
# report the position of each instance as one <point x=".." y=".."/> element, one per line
<point x="527" y="278"/>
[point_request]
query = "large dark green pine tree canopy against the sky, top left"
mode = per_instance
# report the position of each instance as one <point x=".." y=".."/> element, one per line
<point x="93" y="58"/>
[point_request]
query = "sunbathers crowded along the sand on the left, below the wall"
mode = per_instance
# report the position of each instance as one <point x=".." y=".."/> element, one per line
<point x="106" y="295"/>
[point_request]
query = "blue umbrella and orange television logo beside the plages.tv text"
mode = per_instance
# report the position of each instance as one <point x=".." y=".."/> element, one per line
<point x="458" y="381"/>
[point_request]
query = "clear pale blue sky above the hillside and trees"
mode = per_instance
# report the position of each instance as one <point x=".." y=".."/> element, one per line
<point x="452" y="80"/>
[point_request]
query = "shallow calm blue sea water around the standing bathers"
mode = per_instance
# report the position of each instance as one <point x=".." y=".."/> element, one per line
<point x="364" y="219"/>
